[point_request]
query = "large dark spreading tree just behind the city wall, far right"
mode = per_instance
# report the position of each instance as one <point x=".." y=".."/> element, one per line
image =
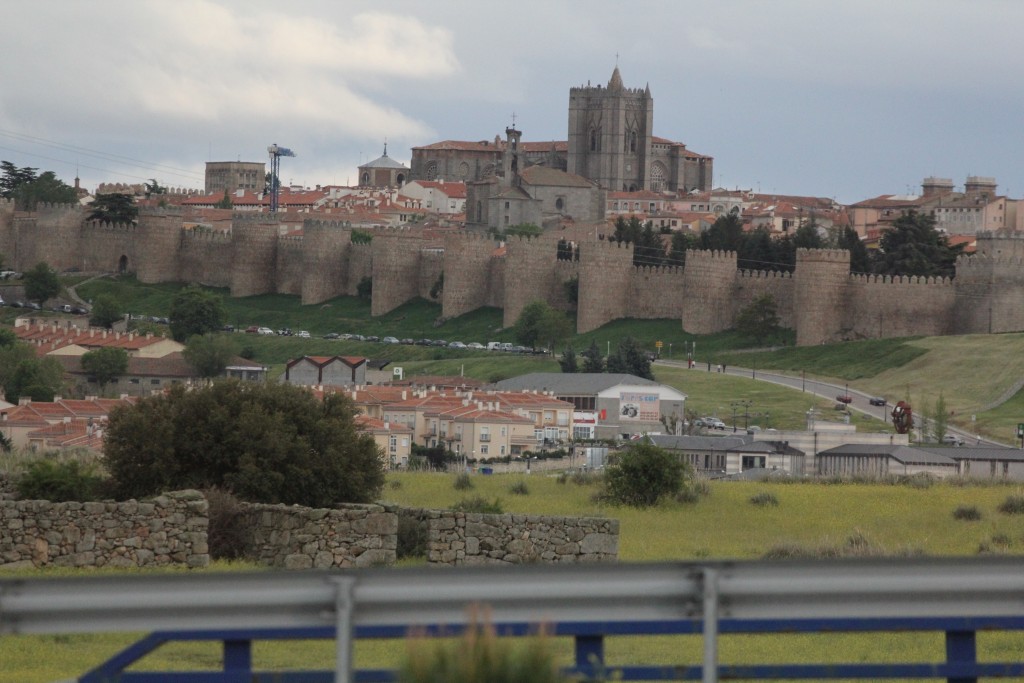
<point x="914" y="247"/>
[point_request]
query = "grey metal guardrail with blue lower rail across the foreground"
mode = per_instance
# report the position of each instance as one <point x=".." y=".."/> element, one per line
<point x="587" y="603"/>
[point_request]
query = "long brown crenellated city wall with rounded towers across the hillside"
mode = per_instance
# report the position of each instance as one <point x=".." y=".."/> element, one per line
<point x="821" y="301"/>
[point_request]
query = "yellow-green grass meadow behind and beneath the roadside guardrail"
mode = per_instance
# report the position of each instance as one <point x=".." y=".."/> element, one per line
<point x="894" y="519"/>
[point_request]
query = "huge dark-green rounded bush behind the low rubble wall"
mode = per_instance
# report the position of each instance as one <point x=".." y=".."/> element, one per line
<point x="264" y="443"/>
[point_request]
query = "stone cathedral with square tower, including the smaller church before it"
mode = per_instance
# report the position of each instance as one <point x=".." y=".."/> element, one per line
<point x="611" y="148"/>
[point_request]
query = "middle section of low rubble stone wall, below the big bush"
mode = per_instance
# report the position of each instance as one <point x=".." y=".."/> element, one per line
<point x="297" y="538"/>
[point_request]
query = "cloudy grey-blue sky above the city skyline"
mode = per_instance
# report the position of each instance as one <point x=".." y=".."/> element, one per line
<point x="846" y="100"/>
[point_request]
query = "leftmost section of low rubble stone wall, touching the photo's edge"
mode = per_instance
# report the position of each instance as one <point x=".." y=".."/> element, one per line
<point x="168" y="530"/>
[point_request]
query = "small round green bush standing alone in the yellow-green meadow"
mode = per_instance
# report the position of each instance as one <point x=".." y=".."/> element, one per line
<point x="644" y="475"/>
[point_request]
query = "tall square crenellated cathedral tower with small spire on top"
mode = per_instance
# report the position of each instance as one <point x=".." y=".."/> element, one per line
<point x="610" y="135"/>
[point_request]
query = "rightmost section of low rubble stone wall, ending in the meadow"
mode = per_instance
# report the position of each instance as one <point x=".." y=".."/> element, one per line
<point x="473" y="539"/>
